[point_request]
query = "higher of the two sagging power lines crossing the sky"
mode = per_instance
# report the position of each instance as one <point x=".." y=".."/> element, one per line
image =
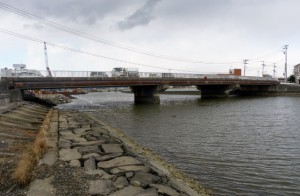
<point x="97" y="39"/>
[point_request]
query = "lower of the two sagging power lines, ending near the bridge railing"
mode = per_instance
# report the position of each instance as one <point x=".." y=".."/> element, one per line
<point x="81" y="51"/>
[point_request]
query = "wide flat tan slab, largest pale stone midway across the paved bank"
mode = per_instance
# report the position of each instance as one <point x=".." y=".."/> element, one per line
<point x="118" y="162"/>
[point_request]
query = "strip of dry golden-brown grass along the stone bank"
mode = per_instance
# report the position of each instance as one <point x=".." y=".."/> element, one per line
<point x="22" y="174"/>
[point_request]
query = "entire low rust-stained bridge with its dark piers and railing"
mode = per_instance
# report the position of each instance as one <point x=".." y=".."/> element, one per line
<point x="146" y="88"/>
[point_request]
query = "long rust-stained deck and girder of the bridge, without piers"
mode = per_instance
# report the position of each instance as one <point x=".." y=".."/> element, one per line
<point x="85" y="82"/>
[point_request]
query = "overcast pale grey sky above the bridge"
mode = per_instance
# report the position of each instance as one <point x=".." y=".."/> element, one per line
<point x="190" y="36"/>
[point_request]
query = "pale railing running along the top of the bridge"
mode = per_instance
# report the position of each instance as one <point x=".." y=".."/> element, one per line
<point x="105" y="74"/>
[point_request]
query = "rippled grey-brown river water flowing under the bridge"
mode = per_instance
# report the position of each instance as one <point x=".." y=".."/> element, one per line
<point x="233" y="146"/>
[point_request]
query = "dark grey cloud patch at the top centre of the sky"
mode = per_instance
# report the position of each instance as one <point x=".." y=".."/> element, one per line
<point x="140" y="17"/>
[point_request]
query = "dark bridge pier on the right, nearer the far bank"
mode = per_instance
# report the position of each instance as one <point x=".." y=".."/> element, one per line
<point x="216" y="91"/>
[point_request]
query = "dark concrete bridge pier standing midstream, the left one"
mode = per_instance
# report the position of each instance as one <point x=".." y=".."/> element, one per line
<point x="146" y="94"/>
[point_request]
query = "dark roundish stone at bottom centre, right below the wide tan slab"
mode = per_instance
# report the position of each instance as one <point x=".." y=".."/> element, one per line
<point x="143" y="179"/>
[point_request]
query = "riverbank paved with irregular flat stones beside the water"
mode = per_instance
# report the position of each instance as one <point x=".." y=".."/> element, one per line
<point x="88" y="157"/>
